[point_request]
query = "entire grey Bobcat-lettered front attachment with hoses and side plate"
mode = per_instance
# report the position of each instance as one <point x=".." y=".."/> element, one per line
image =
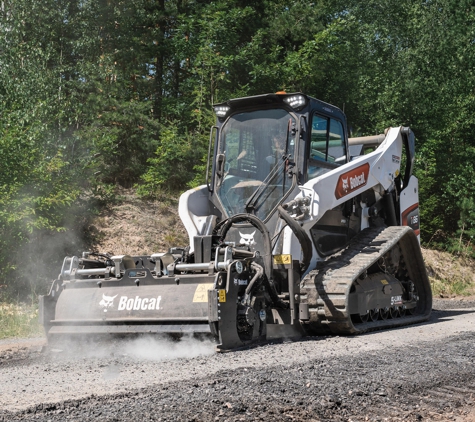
<point x="218" y="292"/>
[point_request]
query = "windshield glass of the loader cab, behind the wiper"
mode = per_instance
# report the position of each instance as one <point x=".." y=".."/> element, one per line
<point x="258" y="148"/>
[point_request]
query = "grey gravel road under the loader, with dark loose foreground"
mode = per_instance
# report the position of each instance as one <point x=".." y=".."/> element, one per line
<point x="423" y="372"/>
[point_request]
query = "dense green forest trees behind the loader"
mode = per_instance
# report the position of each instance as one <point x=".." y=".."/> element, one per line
<point x="96" y="94"/>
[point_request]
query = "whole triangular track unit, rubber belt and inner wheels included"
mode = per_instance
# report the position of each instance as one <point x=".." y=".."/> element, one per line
<point x="378" y="282"/>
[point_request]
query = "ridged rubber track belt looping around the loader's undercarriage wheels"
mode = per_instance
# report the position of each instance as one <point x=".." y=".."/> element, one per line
<point x="327" y="290"/>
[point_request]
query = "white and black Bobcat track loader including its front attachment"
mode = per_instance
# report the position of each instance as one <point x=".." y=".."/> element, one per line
<point x="298" y="231"/>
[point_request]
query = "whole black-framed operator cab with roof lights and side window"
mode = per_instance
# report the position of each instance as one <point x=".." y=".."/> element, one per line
<point x="268" y="145"/>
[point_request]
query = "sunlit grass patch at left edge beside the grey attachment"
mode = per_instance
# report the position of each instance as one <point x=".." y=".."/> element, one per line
<point x="19" y="320"/>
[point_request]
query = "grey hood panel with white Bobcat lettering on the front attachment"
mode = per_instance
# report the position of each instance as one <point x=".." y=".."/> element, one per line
<point x="129" y="305"/>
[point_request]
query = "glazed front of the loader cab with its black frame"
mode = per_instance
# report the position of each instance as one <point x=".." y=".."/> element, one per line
<point x="255" y="155"/>
